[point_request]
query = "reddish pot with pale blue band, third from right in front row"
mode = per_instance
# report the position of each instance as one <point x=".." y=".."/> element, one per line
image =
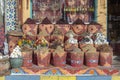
<point x="77" y="60"/>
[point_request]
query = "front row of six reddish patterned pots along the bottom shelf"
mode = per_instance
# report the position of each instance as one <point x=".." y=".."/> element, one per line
<point x="90" y="59"/>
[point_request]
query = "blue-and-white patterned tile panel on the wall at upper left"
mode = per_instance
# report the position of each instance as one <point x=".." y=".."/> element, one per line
<point x="10" y="15"/>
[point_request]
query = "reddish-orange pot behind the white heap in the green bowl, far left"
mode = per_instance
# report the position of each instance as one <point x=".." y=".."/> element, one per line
<point x="12" y="42"/>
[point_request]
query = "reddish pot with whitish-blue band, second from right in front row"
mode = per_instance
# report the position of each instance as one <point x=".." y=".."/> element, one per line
<point x="91" y="59"/>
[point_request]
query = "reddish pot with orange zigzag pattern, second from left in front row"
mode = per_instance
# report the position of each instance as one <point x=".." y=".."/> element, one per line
<point x="43" y="60"/>
